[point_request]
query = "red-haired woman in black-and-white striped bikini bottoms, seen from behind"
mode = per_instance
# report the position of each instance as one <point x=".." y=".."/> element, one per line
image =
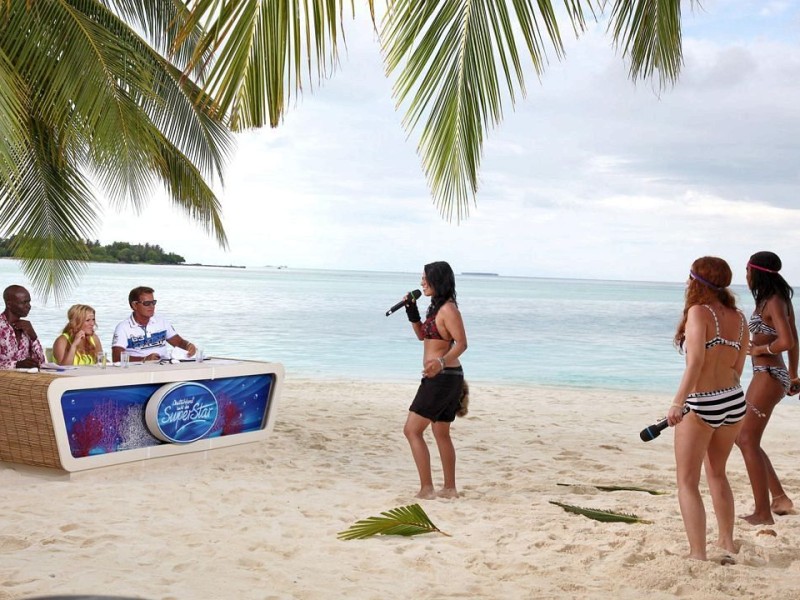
<point x="709" y="406"/>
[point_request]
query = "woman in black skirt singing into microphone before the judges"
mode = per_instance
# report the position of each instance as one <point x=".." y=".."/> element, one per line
<point x="439" y="397"/>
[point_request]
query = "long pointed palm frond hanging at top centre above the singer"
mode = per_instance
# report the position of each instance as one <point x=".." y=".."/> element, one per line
<point x="454" y="60"/>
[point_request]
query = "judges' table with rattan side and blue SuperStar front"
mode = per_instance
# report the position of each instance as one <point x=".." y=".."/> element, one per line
<point x="87" y="417"/>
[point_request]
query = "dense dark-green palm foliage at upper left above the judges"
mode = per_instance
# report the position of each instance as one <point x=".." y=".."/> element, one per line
<point x="88" y="103"/>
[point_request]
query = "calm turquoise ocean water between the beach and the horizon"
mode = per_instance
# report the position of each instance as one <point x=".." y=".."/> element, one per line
<point x="331" y="324"/>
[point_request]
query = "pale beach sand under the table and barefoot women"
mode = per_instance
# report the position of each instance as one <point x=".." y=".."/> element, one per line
<point x="260" y="520"/>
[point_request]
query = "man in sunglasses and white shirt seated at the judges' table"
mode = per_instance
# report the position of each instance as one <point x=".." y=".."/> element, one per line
<point x="143" y="335"/>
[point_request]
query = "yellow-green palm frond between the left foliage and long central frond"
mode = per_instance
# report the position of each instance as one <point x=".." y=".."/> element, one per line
<point x="264" y="51"/>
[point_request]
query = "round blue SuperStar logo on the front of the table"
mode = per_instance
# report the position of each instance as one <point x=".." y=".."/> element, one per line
<point x="181" y="412"/>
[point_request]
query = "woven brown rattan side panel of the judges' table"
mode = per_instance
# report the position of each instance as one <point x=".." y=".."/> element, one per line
<point x="26" y="427"/>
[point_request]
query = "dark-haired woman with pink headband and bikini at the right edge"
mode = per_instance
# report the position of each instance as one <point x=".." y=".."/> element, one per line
<point x="773" y="332"/>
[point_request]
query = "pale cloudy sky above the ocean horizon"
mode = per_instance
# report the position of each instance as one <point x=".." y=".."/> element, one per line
<point x="589" y="176"/>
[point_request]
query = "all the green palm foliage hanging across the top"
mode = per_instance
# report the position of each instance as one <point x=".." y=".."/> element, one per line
<point x="127" y="95"/>
